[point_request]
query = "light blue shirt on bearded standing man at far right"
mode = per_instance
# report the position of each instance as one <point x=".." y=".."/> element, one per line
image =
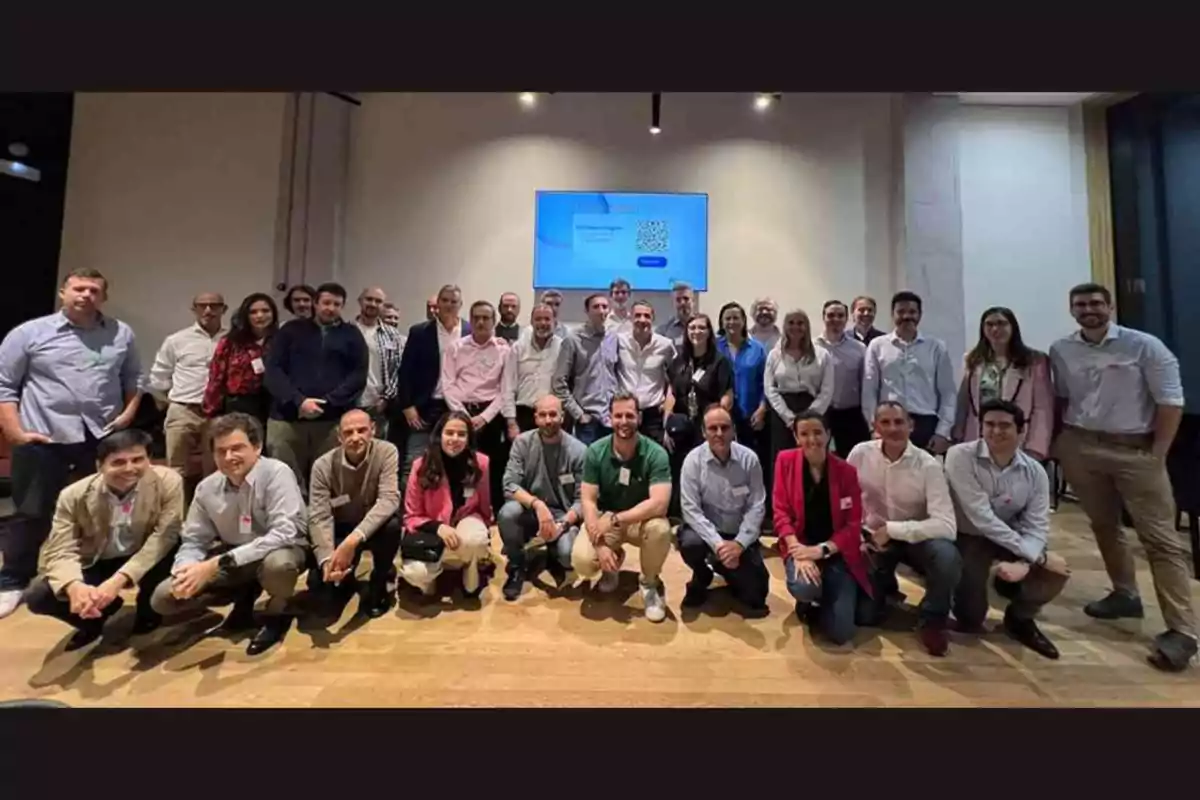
<point x="1114" y="387"/>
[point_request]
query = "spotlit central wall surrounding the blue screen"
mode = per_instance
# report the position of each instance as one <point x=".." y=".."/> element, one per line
<point x="442" y="190"/>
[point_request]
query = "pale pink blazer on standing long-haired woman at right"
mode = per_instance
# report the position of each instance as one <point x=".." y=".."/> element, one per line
<point x="1029" y="388"/>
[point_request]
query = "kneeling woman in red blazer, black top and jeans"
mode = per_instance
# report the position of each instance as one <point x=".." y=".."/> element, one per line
<point x="819" y="518"/>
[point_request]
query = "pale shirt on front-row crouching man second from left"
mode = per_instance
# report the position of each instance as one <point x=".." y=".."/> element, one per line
<point x="269" y="496"/>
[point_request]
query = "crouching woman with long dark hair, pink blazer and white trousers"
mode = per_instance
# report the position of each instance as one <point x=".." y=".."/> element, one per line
<point x="448" y="509"/>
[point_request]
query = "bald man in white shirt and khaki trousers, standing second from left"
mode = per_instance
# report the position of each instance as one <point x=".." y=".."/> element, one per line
<point x="178" y="378"/>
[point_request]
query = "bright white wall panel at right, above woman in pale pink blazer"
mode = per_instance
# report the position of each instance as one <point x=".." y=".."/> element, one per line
<point x="1024" y="200"/>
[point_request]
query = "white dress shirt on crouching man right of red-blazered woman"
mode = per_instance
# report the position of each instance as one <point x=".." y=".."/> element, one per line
<point x="910" y="495"/>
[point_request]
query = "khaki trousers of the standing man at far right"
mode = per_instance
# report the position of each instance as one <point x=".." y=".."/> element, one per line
<point x="1106" y="471"/>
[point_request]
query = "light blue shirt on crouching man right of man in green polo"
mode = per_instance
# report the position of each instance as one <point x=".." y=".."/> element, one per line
<point x="727" y="498"/>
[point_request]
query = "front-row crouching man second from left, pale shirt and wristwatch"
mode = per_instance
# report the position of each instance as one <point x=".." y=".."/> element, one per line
<point x="247" y="532"/>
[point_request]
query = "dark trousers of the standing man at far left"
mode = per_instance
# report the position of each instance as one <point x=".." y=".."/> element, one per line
<point x="39" y="474"/>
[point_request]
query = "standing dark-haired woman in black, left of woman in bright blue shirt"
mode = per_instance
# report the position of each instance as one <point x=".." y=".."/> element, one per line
<point x="698" y="378"/>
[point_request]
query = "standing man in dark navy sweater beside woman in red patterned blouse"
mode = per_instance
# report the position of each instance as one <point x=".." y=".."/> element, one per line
<point x="316" y="370"/>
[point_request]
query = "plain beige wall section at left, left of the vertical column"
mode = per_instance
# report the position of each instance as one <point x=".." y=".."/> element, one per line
<point x="171" y="195"/>
